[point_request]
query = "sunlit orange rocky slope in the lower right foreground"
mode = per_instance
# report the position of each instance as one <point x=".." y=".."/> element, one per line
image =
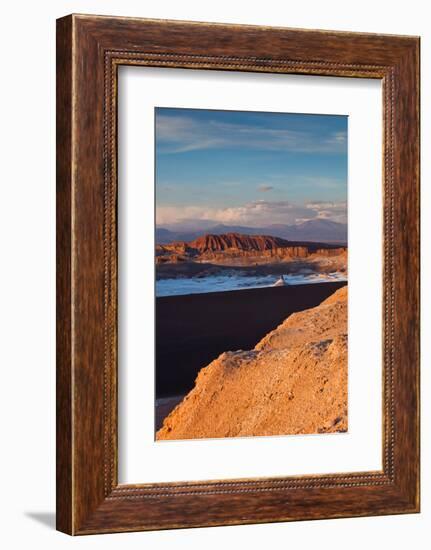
<point x="293" y="382"/>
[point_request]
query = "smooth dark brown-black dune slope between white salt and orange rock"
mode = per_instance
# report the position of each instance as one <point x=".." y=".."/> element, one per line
<point x="193" y="330"/>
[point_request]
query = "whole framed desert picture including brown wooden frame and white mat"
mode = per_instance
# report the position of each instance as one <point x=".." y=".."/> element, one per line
<point x="237" y="274"/>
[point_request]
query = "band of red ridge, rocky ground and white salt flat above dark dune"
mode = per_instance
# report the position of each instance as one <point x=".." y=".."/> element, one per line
<point x="241" y="260"/>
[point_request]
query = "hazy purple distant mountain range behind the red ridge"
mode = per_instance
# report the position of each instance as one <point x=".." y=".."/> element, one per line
<point x="317" y="230"/>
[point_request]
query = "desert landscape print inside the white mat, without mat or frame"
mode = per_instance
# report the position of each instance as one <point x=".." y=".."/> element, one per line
<point x="251" y="274"/>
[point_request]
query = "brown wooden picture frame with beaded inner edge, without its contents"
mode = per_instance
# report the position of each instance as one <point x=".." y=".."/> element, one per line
<point x="89" y="51"/>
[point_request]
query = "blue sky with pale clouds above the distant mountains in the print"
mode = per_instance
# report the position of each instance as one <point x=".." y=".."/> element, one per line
<point x="249" y="168"/>
